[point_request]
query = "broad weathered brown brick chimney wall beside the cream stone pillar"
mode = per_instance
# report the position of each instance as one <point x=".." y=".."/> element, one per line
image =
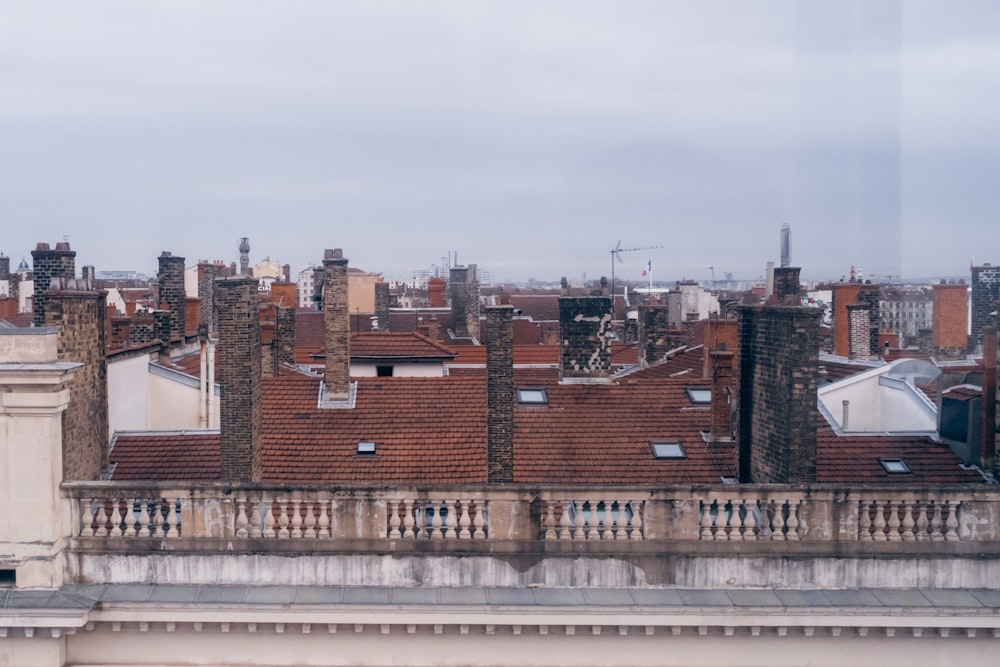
<point x="78" y="312"/>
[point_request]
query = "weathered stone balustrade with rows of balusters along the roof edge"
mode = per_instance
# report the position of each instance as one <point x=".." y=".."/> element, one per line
<point x="116" y="513"/>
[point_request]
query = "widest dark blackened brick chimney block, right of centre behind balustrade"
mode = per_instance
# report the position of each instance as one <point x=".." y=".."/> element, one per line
<point x="776" y="394"/>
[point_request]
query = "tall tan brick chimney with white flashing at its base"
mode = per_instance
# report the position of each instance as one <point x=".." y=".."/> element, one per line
<point x="337" y="322"/>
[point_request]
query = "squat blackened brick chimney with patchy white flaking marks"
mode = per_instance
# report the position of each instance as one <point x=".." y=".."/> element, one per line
<point x="585" y="338"/>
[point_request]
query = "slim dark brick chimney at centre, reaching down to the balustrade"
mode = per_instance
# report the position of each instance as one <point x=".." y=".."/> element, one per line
<point x="500" y="394"/>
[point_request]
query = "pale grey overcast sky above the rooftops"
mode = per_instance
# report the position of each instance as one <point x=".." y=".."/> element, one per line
<point x="528" y="137"/>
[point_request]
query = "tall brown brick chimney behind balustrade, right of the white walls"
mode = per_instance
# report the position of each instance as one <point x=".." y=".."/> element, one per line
<point x="239" y="378"/>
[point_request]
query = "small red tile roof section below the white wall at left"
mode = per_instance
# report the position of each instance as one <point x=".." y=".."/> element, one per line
<point x="180" y="455"/>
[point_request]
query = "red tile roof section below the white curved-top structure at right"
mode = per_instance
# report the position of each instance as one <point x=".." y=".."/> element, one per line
<point x="851" y="458"/>
